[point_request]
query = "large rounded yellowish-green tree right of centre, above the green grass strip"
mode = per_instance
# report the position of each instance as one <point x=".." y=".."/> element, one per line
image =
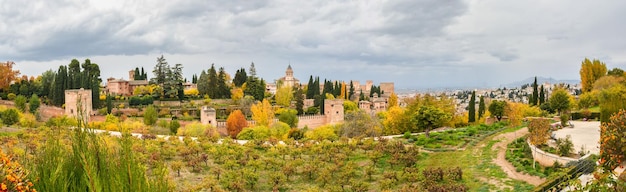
<point x="430" y="117"/>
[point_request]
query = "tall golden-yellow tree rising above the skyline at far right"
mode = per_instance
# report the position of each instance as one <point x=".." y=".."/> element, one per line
<point x="590" y="71"/>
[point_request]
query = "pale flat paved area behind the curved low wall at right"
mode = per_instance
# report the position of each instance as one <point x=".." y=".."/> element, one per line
<point x="584" y="133"/>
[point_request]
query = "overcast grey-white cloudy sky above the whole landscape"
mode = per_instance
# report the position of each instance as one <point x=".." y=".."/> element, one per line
<point x="414" y="43"/>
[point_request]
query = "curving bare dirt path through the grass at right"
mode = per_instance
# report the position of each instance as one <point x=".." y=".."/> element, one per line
<point x="507" y="167"/>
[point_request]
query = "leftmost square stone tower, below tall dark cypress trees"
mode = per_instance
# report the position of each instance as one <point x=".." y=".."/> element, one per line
<point x="75" y="97"/>
